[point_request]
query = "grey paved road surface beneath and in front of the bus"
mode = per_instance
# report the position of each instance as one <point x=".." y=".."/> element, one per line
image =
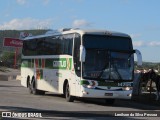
<point x="15" y="98"/>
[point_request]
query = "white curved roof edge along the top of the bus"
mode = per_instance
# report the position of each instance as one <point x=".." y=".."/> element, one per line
<point x="80" y="31"/>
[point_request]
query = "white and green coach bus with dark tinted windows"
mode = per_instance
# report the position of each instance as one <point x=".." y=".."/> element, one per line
<point x="80" y="63"/>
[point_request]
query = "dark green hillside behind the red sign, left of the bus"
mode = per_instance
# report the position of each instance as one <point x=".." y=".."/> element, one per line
<point x="7" y="58"/>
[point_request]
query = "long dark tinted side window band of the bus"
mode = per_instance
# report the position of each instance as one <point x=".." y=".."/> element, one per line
<point x="54" y="45"/>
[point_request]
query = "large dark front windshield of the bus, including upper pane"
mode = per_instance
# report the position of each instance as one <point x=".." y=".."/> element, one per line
<point x="105" y="63"/>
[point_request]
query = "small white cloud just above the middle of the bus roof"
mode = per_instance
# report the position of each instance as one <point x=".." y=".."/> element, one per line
<point x="81" y="23"/>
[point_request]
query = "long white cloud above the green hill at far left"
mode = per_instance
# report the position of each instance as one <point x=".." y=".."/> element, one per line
<point x="27" y="23"/>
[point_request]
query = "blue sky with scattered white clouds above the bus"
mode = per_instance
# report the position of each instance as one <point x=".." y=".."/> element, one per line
<point x="138" y="18"/>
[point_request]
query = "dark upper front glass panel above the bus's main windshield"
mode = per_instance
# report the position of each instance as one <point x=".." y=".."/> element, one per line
<point x="107" y="42"/>
